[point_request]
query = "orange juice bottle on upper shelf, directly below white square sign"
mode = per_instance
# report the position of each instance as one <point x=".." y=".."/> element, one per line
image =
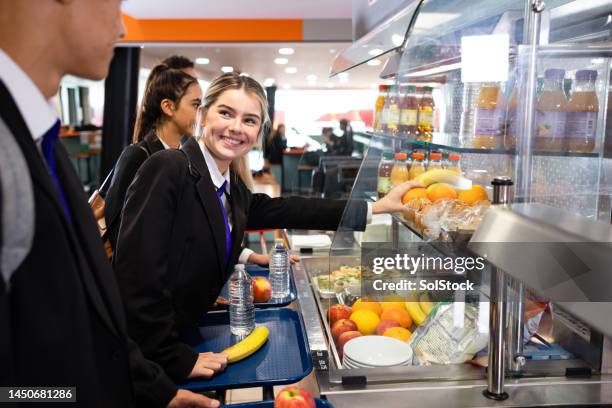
<point x="489" y="118"/>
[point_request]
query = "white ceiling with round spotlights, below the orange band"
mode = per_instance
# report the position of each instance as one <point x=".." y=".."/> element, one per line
<point x="258" y="61"/>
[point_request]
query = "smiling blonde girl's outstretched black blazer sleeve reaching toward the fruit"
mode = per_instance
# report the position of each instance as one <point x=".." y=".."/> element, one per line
<point x="305" y="213"/>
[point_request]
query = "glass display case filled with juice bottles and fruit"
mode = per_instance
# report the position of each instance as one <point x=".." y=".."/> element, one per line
<point x="484" y="89"/>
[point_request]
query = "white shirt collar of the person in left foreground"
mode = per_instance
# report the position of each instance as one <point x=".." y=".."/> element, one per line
<point x="38" y="113"/>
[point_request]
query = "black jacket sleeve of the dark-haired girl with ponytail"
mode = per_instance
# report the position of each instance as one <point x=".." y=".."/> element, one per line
<point x="125" y="170"/>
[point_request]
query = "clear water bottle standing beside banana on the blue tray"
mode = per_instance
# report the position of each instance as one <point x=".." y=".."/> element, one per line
<point x="242" y="311"/>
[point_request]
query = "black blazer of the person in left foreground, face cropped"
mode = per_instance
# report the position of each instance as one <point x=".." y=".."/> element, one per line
<point x="62" y="322"/>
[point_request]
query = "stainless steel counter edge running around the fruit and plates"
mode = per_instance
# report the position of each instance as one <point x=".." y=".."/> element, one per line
<point x="402" y="393"/>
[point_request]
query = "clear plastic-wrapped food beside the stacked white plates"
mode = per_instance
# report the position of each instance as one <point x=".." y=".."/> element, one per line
<point x="444" y="339"/>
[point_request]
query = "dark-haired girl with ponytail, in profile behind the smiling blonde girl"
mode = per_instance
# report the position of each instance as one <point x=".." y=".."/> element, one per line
<point x="167" y="113"/>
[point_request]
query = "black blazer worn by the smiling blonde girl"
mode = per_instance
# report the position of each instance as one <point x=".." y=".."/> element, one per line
<point x="170" y="254"/>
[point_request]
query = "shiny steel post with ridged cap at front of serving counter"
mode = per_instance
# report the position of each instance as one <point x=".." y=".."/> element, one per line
<point x="497" y="311"/>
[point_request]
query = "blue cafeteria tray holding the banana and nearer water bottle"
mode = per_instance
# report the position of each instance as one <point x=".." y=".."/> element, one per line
<point x="283" y="359"/>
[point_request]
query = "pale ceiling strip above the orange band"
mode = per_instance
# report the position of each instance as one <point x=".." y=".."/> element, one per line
<point x="239" y="9"/>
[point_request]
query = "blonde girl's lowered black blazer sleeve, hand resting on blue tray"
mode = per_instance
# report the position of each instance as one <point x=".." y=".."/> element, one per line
<point x="141" y="262"/>
